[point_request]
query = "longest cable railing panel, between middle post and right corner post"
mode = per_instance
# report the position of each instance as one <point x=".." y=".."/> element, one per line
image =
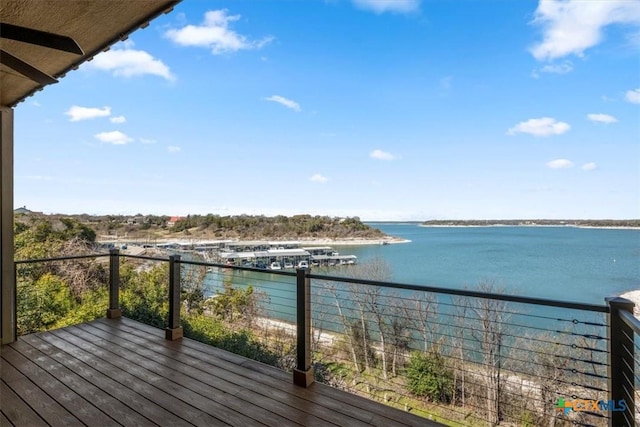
<point x="465" y="360"/>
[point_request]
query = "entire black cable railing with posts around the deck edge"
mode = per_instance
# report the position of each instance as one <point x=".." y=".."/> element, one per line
<point x="462" y="357"/>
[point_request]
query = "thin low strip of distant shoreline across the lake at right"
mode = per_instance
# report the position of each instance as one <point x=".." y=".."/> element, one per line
<point x="547" y="222"/>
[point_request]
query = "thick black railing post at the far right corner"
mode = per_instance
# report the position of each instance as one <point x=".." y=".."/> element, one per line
<point x="621" y="363"/>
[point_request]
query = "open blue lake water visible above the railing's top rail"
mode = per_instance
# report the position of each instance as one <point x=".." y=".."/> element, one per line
<point x="563" y="263"/>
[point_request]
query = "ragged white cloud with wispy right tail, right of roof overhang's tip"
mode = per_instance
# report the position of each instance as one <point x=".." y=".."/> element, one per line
<point x="215" y="34"/>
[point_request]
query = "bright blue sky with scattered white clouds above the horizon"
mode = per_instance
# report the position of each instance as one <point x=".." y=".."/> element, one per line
<point x="382" y="109"/>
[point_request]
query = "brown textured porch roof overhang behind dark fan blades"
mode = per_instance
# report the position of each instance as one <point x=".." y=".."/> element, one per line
<point x="95" y="25"/>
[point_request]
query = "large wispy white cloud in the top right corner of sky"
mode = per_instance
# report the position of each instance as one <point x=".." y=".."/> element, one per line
<point x="572" y="26"/>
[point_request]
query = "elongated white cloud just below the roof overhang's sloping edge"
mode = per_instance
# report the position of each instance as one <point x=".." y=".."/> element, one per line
<point x="130" y="63"/>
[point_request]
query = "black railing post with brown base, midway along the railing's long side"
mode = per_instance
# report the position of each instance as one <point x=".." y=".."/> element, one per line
<point x="303" y="373"/>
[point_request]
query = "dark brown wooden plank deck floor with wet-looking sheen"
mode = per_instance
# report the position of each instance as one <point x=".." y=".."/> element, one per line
<point x="121" y="372"/>
